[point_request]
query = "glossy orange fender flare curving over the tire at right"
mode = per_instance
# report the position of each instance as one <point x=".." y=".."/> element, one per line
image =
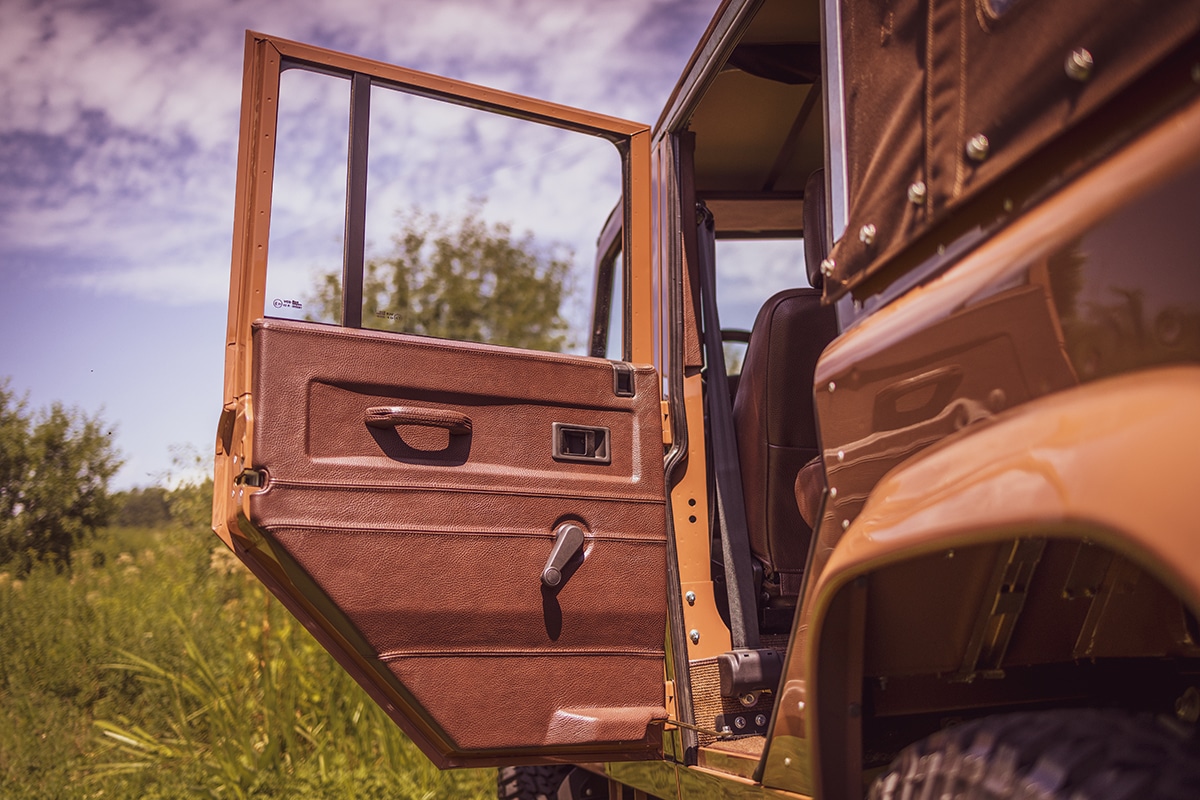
<point x="1117" y="459"/>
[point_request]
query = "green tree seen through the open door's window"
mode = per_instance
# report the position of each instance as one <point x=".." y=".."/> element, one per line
<point x="471" y="281"/>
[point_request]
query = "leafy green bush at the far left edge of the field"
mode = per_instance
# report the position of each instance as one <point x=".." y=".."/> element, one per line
<point x="56" y="470"/>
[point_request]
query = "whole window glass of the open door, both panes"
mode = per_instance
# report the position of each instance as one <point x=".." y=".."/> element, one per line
<point x="479" y="227"/>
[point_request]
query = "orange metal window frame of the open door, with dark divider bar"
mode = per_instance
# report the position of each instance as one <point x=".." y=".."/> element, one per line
<point x="266" y="59"/>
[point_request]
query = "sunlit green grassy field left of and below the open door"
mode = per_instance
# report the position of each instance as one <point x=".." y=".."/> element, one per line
<point x="158" y="667"/>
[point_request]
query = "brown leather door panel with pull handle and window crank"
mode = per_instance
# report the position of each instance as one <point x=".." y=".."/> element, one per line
<point x="419" y="533"/>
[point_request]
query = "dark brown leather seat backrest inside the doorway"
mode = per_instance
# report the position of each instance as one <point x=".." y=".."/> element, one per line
<point x="776" y="425"/>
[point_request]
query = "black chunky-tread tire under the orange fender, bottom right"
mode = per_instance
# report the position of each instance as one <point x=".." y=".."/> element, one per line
<point x="1065" y="755"/>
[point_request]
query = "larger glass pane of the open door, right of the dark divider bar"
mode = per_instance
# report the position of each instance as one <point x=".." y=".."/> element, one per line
<point x="483" y="227"/>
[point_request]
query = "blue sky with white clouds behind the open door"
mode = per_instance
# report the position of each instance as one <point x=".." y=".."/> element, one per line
<point x="118" y="148"/>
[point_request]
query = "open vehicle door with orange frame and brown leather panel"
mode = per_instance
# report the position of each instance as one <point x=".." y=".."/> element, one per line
<point x="406" y="497"/>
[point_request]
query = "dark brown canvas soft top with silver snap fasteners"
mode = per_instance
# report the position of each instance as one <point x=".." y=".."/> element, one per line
<point x="944" y="98"/>
